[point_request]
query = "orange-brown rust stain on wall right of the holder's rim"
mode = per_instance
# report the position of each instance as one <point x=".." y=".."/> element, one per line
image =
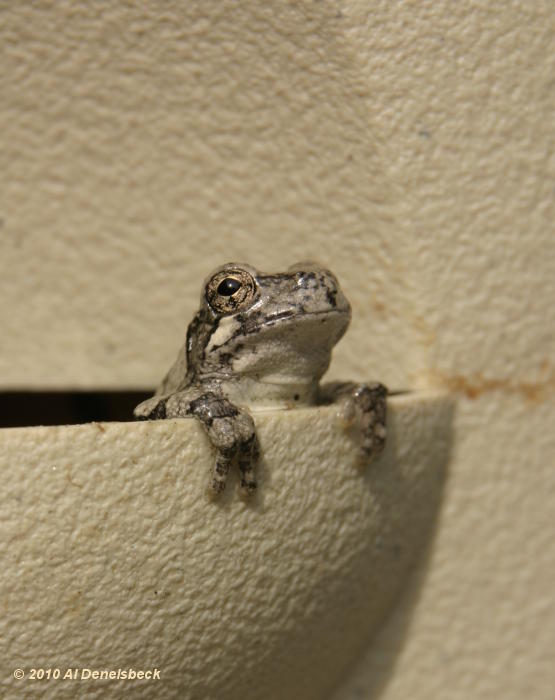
<point x="473" y="387"/>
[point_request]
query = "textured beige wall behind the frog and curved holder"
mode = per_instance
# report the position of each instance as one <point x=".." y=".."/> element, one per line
<point x="409" y="146"/>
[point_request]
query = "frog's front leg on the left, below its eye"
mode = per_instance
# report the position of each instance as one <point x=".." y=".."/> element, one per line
<point x="233" y="434"/>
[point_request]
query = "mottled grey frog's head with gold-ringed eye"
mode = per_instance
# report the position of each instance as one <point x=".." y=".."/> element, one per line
<point x="273" y="328"/>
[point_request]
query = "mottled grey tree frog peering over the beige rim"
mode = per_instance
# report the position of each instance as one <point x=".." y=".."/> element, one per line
<point x="263" y="341"/>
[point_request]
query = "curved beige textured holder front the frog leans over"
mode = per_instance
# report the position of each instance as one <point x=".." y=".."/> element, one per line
<point x="115" y="558"/>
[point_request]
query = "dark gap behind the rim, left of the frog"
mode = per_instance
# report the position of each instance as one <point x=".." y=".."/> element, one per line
<point x="23" y="408"/>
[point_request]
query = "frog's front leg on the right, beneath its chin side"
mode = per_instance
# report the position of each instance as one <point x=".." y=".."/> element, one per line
<point x="367" y="405"/>
